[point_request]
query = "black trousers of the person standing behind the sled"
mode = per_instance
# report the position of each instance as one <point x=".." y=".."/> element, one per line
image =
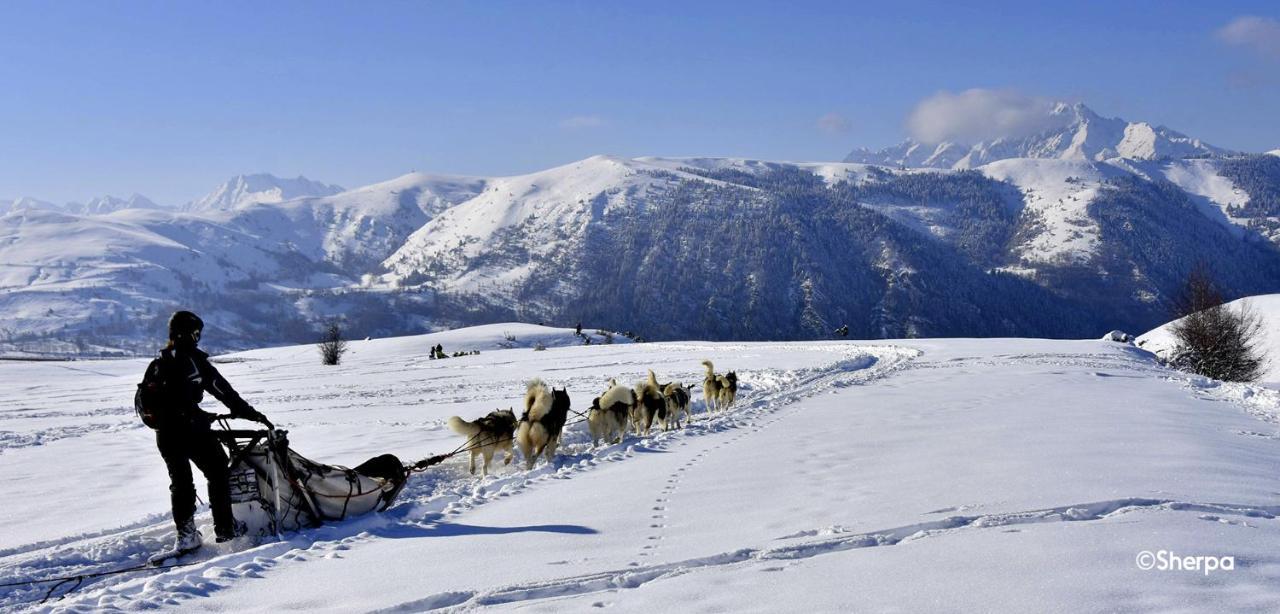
<point x="182" y="447"/>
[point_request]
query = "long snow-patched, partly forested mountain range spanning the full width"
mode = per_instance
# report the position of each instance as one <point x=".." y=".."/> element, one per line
<point x="671" y="249"/>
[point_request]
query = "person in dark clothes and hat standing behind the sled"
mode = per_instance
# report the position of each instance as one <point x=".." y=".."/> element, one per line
<point x="184" y="433"/>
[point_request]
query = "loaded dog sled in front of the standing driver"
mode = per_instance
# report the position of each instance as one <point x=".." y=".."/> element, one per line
<point x="275" y="489"/>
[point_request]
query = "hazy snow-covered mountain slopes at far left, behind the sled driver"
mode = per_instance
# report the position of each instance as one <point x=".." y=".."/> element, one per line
<point x="74" y="282"/>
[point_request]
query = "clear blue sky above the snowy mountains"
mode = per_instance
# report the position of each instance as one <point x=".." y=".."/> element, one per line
<point x="171" y="99"/>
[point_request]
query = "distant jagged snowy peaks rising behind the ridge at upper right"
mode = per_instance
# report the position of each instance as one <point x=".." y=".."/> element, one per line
<point x="1078" y="134"/>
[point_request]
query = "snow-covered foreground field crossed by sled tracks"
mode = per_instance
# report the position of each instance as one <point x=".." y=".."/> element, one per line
<point x="1002" y="475"/>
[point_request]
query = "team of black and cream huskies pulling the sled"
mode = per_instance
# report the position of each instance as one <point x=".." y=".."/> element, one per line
<point x="611" y="415"/>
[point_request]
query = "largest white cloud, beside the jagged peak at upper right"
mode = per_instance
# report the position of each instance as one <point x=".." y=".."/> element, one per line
<point x="980" y="114"/>
